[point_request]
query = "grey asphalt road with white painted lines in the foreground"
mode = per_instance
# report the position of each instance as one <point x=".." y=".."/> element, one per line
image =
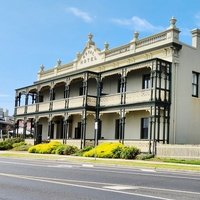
<point x="23" y="179"/>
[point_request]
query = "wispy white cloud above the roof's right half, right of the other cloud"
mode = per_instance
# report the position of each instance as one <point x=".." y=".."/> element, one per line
<point x="137" y="24"/>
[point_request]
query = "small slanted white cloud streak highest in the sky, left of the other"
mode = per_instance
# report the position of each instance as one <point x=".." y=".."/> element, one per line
<point x="81" y="14"/>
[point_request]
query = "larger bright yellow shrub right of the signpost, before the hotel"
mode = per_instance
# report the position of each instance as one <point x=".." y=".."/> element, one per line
<point x="104" y="150"/>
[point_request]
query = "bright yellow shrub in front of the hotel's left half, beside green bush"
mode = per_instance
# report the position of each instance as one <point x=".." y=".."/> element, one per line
<point x="48" y="148"/>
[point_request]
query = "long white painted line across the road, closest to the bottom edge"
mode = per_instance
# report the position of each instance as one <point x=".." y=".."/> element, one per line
<point x="32" y="178"/>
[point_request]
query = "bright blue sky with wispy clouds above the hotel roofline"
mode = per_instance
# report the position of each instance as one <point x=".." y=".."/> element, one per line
<point x="35" y="32"/>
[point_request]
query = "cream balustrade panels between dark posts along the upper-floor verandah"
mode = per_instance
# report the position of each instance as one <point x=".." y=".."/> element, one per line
<point x="78" y="101"/>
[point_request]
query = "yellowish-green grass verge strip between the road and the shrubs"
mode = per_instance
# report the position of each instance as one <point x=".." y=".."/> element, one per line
<point x="155" y="164"/>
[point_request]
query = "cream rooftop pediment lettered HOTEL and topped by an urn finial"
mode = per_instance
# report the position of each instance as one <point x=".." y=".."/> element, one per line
<point x="90" y="55"/>
